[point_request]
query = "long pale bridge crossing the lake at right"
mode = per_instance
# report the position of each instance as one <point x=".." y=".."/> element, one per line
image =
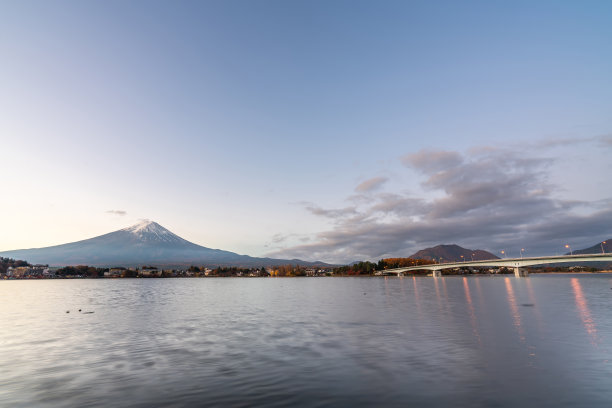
<point x="515" y="263"/>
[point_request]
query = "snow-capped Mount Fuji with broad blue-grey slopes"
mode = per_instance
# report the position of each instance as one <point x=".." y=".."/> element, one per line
<point x="145" y="243"/>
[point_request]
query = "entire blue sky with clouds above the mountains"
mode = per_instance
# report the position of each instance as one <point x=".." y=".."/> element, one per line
<point x="331" y="130"/>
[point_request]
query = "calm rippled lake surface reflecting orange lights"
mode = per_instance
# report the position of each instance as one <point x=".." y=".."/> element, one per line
<point x="454" y="341"/>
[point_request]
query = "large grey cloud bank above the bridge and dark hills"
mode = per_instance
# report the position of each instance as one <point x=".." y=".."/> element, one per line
<point x="490" y="199"/>
